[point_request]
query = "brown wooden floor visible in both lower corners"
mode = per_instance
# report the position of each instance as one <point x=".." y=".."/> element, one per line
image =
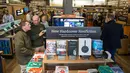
<point x="13" y="67"/>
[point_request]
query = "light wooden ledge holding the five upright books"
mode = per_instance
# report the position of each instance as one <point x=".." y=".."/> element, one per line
<point x="92" y="59"/>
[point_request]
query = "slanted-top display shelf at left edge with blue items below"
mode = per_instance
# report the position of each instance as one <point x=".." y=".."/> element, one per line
<point x="7" y="31"/>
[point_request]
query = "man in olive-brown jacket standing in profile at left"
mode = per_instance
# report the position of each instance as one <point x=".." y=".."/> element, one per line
<point x="23" y="49"/>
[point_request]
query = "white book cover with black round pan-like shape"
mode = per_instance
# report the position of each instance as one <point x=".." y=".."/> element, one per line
<point x="85" y="46"/>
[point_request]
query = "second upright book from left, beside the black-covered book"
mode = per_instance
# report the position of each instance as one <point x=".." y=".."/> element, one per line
<point x="61" y="47"/>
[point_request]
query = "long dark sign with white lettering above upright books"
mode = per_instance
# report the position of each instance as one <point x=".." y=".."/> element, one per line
<point x="73" y="32"/>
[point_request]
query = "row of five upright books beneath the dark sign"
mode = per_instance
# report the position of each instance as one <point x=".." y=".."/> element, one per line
<point x="82" y="46"/>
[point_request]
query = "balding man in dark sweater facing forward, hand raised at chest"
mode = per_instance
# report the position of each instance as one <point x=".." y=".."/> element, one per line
<point x="36" y="34"/>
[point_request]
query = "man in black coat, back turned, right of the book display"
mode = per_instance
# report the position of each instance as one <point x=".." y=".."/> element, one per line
<point x="111" y="35"/>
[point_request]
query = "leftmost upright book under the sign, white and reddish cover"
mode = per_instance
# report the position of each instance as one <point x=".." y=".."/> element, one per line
<point x="50" y="47"/>
